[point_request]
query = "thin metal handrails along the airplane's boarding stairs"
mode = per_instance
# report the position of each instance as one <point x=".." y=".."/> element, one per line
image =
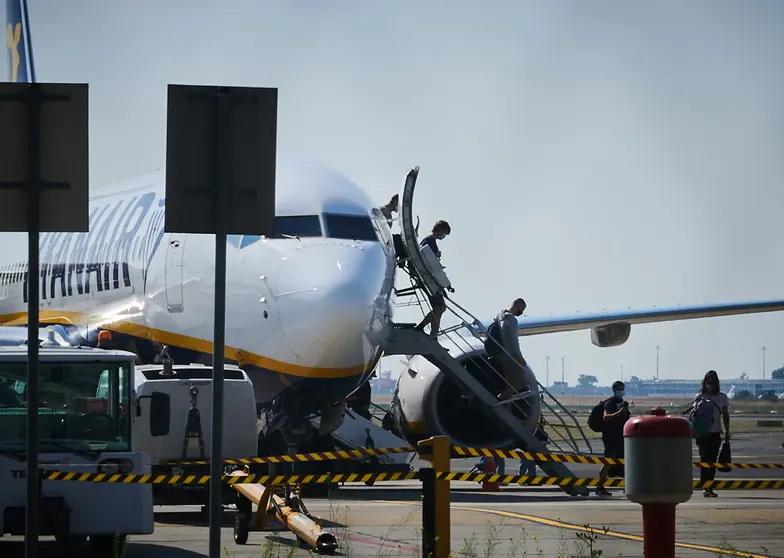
<point x="557" y="420"/>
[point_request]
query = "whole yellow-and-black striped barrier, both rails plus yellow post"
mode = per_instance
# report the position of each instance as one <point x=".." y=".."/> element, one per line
<point x="436" y="479"/>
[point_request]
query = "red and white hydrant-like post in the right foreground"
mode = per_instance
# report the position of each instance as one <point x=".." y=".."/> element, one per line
<point x="658" y="475"/>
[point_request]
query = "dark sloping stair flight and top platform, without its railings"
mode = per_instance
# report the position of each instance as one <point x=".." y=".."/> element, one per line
<point x="405" y="340"/>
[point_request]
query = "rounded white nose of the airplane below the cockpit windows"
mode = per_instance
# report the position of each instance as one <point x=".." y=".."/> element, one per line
<point x="326" y="300"/>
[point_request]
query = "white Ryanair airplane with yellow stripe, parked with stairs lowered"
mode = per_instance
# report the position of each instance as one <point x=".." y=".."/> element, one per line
<point x="309" y="311"/>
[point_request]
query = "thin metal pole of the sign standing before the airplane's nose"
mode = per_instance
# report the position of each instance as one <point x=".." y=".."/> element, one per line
<point x="216" y="457"/>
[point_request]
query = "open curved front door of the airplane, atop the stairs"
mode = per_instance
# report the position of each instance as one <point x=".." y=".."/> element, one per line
<point x="424" y="263"/>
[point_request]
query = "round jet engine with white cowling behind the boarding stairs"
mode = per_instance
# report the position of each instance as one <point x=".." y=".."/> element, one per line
<point x="428" y="403"/>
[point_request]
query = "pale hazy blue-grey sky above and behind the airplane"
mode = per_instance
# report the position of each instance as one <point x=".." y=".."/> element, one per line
<point x="588" y="155"/>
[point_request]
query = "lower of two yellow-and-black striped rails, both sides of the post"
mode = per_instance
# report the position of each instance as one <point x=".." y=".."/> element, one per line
<point x="129" y="478"/>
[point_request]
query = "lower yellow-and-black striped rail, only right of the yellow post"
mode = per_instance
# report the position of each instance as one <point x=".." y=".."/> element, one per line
<point x="593" y="482"/>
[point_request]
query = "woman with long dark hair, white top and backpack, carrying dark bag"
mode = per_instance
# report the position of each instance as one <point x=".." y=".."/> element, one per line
<point x="707" y="413"/>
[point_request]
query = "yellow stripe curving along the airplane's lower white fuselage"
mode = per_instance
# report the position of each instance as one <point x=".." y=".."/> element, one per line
<point x="242" y="357"/>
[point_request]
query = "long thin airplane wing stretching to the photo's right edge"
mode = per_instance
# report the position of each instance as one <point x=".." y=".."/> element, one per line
<point x="588" y="320"/>
